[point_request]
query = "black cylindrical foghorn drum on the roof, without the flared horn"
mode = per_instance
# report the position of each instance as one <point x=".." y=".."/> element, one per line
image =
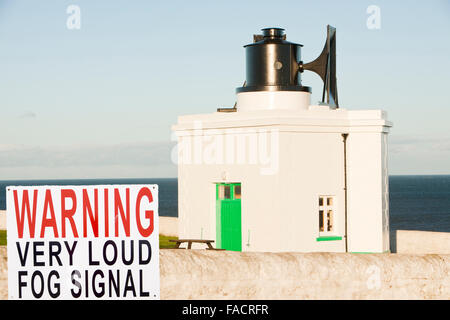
<point x="272" y="64"/>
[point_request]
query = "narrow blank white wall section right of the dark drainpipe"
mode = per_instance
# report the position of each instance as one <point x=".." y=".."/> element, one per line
<point x="368" y="207"/>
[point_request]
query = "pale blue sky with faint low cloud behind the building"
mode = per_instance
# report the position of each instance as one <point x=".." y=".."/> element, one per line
<point x="98" y="102"/>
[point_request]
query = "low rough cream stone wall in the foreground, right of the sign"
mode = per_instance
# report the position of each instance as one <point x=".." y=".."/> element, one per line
<point x="202" y="274"/>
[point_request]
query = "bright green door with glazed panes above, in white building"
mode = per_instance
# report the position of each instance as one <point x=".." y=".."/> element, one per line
<point x="228" y="216"/>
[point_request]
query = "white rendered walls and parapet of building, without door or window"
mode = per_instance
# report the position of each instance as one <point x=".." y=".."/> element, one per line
<point x="280" y="210"/>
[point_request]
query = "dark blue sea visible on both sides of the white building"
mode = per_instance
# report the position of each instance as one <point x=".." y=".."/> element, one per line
<point x="415" y="202"/>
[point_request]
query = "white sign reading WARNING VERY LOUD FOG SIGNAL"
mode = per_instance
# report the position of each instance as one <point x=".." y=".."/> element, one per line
<point x="83" y="242"/>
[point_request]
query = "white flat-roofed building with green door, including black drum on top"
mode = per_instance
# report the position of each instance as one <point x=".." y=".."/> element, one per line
<point x="279" y="174"/>
